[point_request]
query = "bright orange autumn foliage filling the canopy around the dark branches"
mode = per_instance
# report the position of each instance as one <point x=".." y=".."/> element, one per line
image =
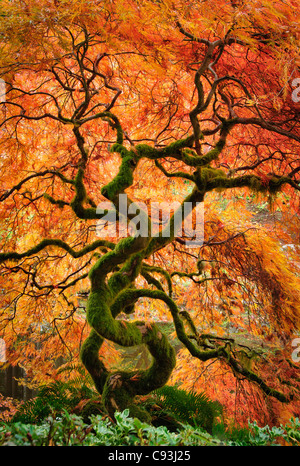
<point x="220" y="72"/>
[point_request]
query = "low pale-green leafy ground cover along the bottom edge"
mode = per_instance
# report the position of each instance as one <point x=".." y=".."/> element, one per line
<point x="70" y="429"/>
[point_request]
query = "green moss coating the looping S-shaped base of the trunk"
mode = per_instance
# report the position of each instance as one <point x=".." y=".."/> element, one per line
<point x="119" y="389"/>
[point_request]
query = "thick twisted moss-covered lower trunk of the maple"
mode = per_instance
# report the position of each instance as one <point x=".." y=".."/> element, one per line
<point x="107" y="299"/>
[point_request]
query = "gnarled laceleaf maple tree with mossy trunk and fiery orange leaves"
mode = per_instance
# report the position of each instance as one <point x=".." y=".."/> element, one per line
<point x="161" y="101"/>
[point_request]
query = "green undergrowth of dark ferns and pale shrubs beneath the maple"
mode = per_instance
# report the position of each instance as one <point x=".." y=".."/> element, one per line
<point x="68" y="413"/>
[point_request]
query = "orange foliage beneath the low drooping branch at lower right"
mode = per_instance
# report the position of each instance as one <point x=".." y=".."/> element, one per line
<point x="242" y="401"/>
